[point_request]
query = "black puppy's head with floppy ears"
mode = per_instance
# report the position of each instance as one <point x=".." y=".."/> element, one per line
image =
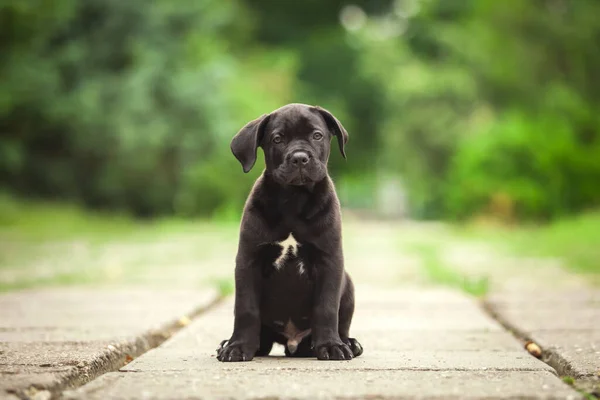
<point x="296" y="141"/>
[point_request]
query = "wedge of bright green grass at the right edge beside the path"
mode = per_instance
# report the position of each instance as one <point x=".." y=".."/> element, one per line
<point x="575" y="241"/>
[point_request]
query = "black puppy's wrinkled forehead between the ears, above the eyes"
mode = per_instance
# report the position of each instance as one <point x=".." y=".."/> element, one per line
<point x="296" y="121"/>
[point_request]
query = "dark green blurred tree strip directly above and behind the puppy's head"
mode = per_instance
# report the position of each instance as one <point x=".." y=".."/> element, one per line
<point x="329" y="72"/>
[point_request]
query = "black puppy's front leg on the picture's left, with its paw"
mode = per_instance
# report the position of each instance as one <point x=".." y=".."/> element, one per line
<point x="244" y="341"/>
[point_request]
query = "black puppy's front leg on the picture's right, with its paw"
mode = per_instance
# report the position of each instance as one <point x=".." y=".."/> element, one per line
<point x="326" y="338"/>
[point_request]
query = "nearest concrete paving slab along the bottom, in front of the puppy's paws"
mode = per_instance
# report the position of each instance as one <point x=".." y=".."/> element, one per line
<point x="332" y="384"/>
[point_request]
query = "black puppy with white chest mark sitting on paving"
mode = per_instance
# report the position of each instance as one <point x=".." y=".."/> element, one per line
<point x="291" y="286"/>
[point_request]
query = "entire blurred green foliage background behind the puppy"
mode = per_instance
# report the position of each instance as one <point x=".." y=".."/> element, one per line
<point x="478" y="106"/>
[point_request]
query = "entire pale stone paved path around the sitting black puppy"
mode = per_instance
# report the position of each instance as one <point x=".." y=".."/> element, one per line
<point x="420" y="340"/>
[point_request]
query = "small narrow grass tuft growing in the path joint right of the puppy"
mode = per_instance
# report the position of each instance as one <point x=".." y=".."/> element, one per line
<point x="438" y="272"/>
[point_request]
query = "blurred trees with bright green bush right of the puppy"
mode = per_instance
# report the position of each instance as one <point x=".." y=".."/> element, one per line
<point x="489" y="99"/>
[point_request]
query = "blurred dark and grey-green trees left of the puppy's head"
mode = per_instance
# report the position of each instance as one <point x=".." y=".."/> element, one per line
<point x="114" y="102"/>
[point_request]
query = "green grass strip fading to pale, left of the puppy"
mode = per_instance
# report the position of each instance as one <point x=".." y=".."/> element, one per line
<point x="48" y="244"/>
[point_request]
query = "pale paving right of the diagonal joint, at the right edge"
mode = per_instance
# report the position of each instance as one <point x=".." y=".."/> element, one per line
<point x="541" y="301"/>
